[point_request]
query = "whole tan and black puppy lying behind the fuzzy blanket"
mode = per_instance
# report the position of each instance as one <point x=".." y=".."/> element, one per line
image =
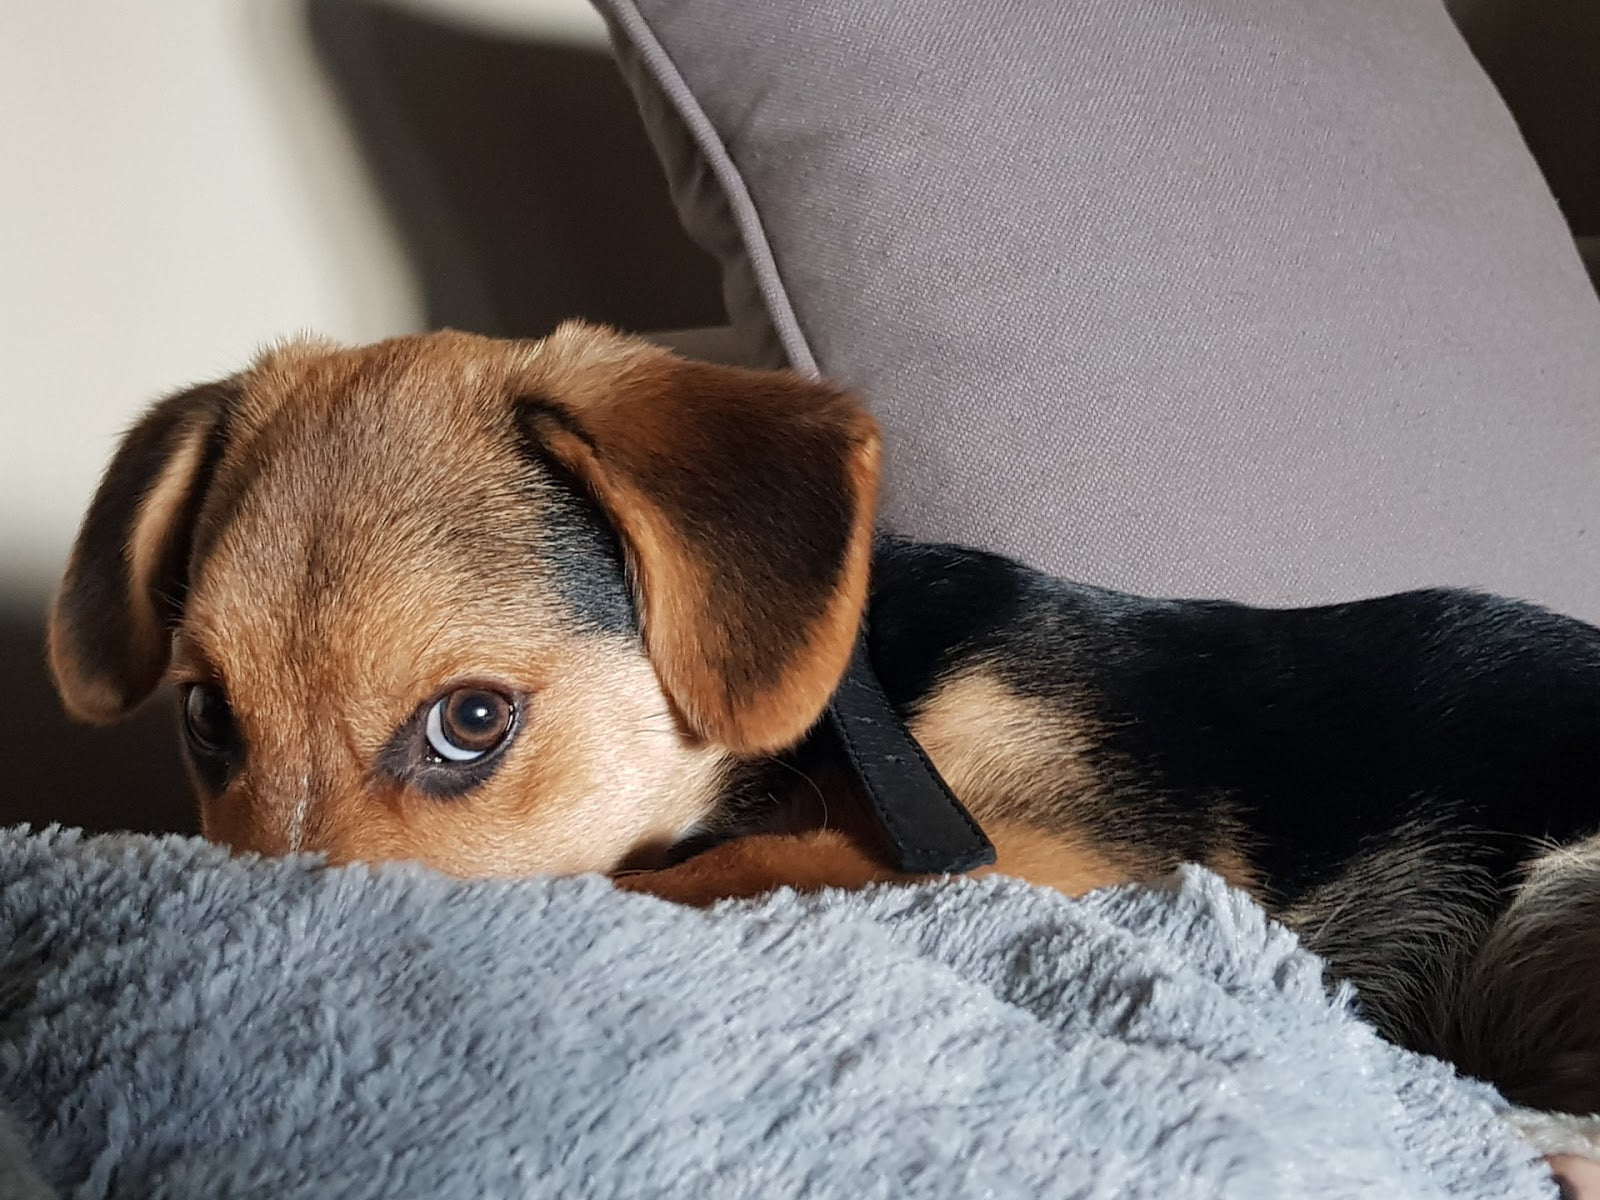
<point x="577" y="606"/>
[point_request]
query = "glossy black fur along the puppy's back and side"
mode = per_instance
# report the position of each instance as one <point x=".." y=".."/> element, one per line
<point x="1322" y="732"/>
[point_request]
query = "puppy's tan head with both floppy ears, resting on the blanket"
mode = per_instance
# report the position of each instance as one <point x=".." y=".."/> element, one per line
<point x="502" y="607"/>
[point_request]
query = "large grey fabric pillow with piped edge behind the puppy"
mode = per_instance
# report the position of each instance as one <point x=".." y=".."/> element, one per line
<point x="1247" y="298"/>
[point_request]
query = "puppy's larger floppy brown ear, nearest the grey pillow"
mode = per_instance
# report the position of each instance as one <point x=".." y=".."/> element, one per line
<point x="745" y="503"/>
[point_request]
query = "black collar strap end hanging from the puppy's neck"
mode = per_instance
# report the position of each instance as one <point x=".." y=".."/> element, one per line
<point x="927" y="828"/>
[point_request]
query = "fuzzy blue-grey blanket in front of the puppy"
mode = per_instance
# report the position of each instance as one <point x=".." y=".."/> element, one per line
<point x="180" y="1025"/>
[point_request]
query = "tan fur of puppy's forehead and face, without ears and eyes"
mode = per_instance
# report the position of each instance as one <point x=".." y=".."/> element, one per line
<point x="327" y="630"/>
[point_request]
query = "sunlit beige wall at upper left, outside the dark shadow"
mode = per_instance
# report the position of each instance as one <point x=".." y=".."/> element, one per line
<point x="180" y="188"/>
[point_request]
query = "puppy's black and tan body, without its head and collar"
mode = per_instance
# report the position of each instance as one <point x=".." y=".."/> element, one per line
<point x="1380" y="775"/>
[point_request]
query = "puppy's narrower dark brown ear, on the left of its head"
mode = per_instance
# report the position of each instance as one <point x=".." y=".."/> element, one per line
<point x="110" y="633"/>
